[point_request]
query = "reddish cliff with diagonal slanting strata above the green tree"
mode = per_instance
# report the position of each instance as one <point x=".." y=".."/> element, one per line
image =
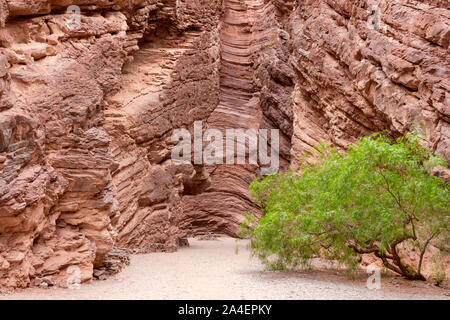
<point x="367" y="66"/>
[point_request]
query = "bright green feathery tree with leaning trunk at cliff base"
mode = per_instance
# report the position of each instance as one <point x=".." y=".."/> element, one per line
<point x="372" y="199"/>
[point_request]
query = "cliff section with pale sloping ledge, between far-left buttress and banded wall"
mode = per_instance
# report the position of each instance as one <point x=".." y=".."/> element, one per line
<point x="171" y="82"/>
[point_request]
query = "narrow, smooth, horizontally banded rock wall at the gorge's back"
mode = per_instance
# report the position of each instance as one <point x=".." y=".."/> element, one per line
<point x="220" y="207"/>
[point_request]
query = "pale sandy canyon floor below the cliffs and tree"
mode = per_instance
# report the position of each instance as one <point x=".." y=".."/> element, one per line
<point x="213" y="270"/>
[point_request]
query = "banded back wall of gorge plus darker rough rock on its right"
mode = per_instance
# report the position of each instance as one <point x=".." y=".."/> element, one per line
<point x="255" y="89"/>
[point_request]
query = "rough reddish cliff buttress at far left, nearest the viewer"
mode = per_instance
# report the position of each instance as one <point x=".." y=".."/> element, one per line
<point x="58" y="195"/>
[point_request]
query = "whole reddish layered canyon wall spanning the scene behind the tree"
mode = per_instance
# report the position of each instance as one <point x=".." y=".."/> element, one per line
<point x="87" y="114"/>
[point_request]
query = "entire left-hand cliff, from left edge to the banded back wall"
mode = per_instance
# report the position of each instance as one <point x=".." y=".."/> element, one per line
<point x="73" y="125"/>
